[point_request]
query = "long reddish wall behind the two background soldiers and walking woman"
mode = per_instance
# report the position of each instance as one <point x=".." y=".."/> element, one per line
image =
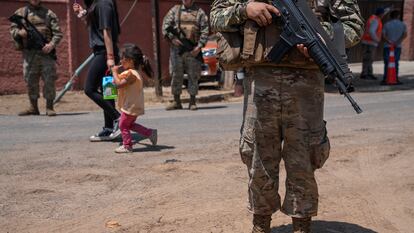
<point x="74" y="47"/>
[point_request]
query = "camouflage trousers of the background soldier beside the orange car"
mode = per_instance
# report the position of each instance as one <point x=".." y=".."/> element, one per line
<point x="184" y="64"/>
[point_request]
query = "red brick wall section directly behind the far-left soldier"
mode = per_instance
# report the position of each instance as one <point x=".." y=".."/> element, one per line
<point x="11" y="72"/>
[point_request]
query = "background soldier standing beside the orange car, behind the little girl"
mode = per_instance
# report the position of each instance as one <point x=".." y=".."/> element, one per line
<point x="193" y="23"/>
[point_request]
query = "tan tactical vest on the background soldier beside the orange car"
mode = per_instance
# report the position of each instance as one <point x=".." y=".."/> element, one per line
<point x="187" y="22"/>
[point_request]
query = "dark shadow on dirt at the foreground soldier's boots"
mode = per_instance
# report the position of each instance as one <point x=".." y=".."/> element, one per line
<point x="327" y="227"/>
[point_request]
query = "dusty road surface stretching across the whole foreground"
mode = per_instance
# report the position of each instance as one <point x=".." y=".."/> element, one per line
<point x="53" y="180"/>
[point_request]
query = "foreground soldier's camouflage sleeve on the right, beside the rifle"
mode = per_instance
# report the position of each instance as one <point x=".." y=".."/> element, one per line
<point x="350" y="15"/>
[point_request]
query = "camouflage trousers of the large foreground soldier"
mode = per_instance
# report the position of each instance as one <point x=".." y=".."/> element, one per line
<point x="283" y="120"/>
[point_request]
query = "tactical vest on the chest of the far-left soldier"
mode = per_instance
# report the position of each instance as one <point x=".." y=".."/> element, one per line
<point x="39" y="18"/>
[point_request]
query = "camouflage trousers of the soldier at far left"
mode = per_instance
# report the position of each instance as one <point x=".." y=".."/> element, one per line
<point x="37" y="65"/>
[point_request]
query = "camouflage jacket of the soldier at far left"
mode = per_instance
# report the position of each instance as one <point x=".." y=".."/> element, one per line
<point x="45" y="21"/>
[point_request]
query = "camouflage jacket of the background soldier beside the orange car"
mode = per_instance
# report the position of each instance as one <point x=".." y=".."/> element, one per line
<point x="171" y="19"/>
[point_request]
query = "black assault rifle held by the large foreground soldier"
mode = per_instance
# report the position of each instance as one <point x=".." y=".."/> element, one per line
<point x="301" y="26"/>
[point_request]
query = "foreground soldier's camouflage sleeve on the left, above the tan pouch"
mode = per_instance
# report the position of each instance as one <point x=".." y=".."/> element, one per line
<point x="227" y="15"/>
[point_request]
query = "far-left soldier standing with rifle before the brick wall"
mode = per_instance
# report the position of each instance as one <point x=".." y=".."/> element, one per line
<point x="38" y="63"/>
